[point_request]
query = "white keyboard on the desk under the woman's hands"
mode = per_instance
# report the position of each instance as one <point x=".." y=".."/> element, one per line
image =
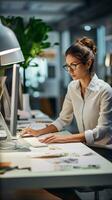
<point x="31" y="142"/>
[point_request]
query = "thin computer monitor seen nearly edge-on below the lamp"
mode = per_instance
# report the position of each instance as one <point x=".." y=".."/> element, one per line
<point x="9" y="105"/>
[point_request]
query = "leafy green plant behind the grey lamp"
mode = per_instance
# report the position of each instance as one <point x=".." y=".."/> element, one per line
<point x="32" y="37"/>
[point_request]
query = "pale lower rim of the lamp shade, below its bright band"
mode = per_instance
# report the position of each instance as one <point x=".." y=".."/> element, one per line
<point x="11" y="58"/>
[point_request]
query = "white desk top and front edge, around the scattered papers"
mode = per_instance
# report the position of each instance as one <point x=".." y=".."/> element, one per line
<point x="48" y="173"/>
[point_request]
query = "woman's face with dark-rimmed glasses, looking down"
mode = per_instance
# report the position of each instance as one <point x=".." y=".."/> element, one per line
<point x="76" y="69"/>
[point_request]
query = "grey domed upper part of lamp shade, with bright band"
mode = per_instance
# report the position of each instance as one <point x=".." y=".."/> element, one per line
<point x="8" y="40"/>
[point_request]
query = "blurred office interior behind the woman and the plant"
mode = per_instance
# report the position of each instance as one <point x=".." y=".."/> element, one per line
<point x="69" y="20"/>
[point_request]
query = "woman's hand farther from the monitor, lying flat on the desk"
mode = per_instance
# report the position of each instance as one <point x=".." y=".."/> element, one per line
<point x="55" y="138"/>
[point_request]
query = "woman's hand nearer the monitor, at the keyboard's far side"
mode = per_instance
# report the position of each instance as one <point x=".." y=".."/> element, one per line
<point x="29" y="132"/>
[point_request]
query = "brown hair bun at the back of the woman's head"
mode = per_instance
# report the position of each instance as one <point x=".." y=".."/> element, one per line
<point x="88" y="43"/>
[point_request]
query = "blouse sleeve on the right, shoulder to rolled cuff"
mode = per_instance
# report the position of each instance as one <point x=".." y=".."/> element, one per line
<point x="104" y="126"/>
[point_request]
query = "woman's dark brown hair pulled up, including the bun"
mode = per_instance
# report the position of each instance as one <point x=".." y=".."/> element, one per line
<point x="83" y="49"/>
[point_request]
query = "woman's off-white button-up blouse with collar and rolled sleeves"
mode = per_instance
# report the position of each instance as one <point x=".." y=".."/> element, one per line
<point x="93" y="114"/>
